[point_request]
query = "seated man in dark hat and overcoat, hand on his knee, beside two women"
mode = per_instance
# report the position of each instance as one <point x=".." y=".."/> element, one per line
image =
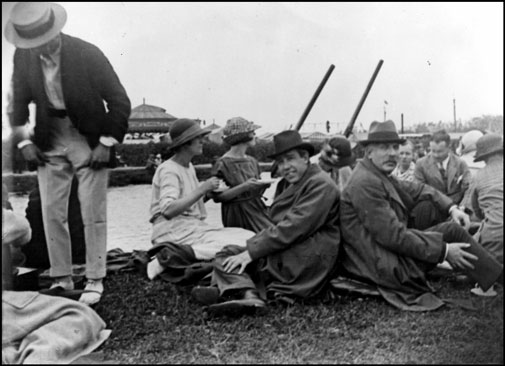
<point x="294" y="257"/>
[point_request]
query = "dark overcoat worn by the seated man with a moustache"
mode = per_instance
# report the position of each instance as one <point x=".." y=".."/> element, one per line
<point x="376" y="243"/>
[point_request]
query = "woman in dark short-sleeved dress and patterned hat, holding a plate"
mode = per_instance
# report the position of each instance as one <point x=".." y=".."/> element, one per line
<point x="241" y="204"/>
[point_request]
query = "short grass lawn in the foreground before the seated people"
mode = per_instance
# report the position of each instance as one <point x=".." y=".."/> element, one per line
<point x="156" y="322"/>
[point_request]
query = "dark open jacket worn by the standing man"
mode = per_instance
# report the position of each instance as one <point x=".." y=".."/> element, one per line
<point x="87" y="79"/>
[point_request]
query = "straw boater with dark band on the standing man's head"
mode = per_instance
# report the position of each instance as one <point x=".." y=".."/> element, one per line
<point x="33" y="24"/>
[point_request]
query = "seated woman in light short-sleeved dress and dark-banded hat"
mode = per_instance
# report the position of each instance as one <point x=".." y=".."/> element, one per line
<point x="178" y="210"/>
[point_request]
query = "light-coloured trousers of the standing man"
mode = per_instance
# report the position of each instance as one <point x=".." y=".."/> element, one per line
<point x="70" y="155"/>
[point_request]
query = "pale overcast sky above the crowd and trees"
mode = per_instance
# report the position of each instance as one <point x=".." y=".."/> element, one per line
<point x="264" y="61"/>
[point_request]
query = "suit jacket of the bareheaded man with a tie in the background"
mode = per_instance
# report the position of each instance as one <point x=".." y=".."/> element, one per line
<point x="458" y="176"/>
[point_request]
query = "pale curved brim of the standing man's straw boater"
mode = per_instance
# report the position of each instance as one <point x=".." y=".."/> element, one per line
<point x="60" y="19"/>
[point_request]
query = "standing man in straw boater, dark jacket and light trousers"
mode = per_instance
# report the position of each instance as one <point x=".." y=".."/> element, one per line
<point x="69" y="80"/>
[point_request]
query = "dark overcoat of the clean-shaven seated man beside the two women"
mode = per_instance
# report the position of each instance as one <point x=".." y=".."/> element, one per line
<point x="300" y="248"/>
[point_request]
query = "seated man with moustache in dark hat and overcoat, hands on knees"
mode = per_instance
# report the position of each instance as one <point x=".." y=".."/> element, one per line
<point x="378" y="245"/>
